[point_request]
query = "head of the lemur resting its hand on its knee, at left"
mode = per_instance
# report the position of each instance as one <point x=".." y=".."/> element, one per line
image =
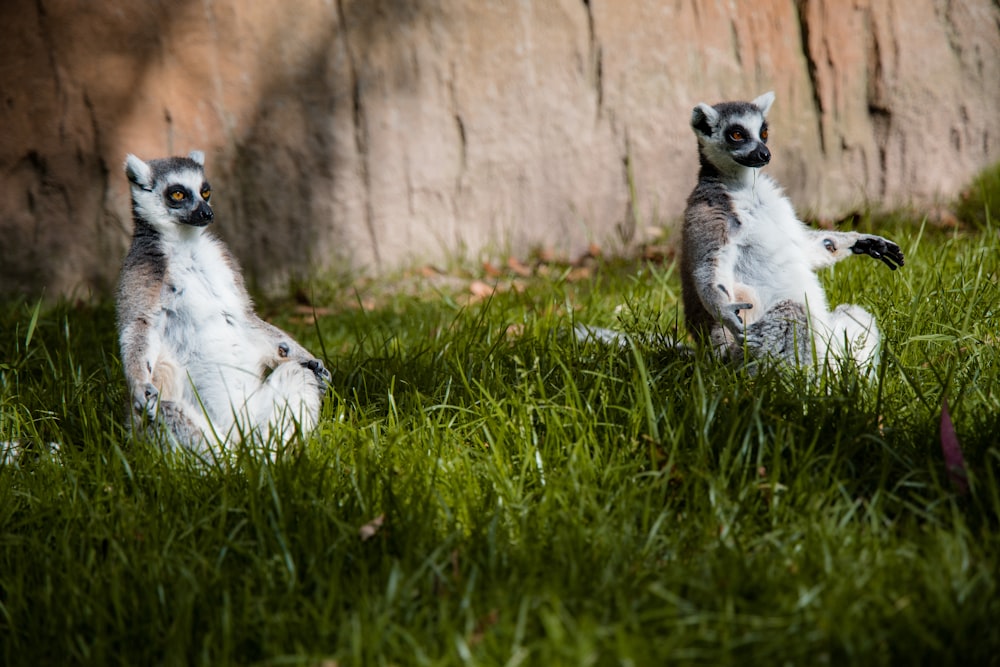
<point x="170" y="191"/>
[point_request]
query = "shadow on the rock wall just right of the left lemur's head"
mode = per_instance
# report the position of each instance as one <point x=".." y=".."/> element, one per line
<point x="299" y="167"/>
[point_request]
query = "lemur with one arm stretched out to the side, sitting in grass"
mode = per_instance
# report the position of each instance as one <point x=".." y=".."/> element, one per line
<point x="748" y="264"/>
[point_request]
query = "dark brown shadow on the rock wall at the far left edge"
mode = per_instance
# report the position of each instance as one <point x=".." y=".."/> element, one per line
<point x="66" y="78"/>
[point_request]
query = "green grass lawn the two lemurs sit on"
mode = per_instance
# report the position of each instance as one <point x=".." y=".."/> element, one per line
<point x="535" y="500"/>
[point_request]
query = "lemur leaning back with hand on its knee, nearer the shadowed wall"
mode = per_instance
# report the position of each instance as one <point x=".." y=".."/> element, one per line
<point x="197" y="359"/>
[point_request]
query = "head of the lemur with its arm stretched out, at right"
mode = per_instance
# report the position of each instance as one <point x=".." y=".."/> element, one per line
<point x="732" y="136"/>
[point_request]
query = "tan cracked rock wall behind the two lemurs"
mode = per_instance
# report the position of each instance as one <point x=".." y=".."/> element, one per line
<point x="359" y="135"/>
